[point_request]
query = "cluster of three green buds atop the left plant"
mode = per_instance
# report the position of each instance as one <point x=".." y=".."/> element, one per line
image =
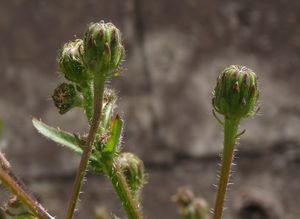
<point x="97" y="57"/>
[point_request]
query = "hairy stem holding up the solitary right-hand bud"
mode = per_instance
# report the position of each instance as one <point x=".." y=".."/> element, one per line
<point x="230" y="132"/>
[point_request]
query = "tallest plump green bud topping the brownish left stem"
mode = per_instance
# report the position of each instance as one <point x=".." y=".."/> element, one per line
<point x="103" y="49"/>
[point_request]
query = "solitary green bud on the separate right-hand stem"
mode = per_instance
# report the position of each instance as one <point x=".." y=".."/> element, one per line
<point x="236" y="93"/>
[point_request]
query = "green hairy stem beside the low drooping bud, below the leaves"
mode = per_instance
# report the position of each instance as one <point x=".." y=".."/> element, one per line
<point x="118" y="180"/>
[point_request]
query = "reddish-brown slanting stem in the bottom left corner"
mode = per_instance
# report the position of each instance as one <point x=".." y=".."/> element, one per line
<point x="9" y="179"/>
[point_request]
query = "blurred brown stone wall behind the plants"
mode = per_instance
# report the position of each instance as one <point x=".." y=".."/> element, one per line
<point x="175" y="50"/>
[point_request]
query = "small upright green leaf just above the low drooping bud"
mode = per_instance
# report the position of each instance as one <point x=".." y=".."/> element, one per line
<point x="114" y="140"/>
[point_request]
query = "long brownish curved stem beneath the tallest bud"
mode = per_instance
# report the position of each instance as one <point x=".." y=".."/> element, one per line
<point x="98" y="97"/>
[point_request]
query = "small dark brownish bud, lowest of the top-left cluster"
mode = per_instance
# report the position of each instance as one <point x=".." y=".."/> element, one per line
<point x="66" y="97"/>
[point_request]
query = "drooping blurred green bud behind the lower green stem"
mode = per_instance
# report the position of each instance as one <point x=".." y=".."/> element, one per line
<point x="133" y="169"/>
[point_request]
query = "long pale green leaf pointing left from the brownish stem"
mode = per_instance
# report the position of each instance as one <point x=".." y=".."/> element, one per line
<point x="61" y="137"/>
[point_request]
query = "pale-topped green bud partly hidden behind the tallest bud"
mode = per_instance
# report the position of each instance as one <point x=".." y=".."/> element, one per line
<point x="70" y="63"/>
